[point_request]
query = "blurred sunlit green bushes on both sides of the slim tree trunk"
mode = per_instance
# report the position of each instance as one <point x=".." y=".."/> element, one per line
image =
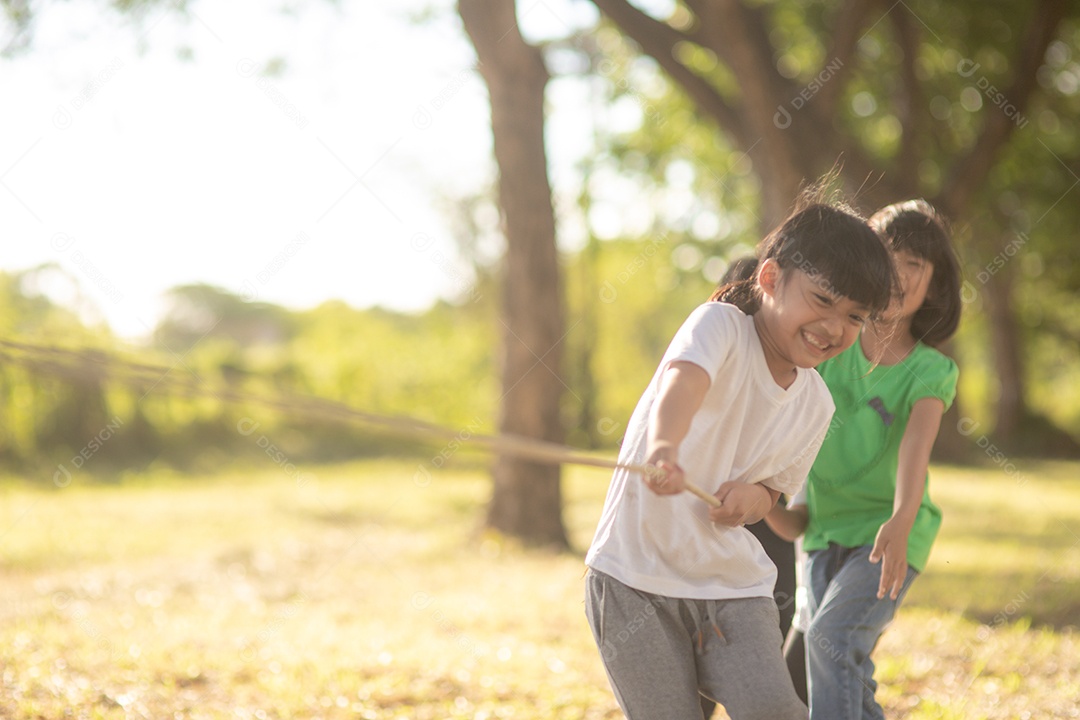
<point x="625" y="300"/>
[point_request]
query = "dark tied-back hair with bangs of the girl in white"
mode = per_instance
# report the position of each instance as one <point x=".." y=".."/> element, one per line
<point x="832" y="244"/>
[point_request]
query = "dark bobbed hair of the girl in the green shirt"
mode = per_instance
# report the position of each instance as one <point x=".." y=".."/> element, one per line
<point x="916" y="227"/>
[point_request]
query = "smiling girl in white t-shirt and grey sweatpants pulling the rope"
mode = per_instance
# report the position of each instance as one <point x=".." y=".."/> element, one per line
<point x="680" y="595"/>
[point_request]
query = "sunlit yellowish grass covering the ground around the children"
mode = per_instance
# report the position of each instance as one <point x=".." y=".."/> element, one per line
<point x="355" y="592"/>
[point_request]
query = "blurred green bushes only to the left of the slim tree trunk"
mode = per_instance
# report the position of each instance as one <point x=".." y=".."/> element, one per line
<point x="438" y="366"/>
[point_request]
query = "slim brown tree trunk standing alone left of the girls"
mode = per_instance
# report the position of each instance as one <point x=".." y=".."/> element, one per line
<point x="526" y="501"/>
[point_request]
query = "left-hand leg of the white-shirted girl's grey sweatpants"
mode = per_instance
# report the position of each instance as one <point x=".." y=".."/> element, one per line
<point x="646" y="648"/>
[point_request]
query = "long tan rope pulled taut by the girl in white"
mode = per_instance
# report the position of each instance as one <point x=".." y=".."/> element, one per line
<point x="99" y="366"/>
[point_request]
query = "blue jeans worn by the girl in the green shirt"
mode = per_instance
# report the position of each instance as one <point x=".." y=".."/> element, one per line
<point x="846" y="621"/>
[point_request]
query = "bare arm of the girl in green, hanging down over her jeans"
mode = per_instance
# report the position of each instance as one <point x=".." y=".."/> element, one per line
<point x="890" y="548"/>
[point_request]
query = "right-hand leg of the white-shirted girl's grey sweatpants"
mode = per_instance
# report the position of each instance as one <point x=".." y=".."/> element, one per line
<point x="741" y="664"/>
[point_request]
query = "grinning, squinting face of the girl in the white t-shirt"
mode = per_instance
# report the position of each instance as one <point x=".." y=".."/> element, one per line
<point x="803" y="321"/>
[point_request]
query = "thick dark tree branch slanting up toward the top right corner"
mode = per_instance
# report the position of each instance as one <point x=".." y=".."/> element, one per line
<point x="971" y="171"/>
